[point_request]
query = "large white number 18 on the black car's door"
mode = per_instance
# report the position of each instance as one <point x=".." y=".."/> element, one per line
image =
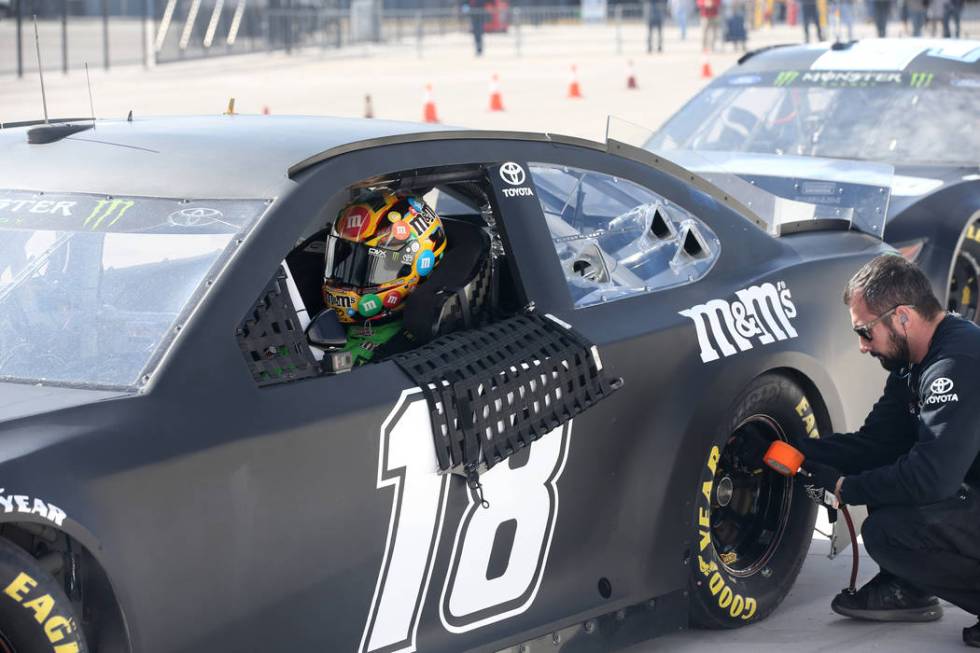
<point x="499" y="554"/>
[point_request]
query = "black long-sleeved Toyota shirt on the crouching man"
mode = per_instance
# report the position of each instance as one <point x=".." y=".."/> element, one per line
<point x="922" y="438"/>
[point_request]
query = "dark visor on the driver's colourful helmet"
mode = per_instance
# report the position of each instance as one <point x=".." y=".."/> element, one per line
<point x="357" y="265"/>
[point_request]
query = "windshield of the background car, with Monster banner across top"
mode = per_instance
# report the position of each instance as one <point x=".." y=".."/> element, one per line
<point x="897" y="117"/>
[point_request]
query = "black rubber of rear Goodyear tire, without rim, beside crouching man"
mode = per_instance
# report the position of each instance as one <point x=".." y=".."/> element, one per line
<point x="720" y="599"/>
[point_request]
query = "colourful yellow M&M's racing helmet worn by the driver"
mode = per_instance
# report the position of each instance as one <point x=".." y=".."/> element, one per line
<point x="381" y="246"/>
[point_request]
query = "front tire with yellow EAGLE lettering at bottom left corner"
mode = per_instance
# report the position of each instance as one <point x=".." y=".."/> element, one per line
<point x="35" y="614"/>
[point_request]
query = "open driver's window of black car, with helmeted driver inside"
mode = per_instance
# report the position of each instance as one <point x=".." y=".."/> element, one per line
<point x="389" y="264"/>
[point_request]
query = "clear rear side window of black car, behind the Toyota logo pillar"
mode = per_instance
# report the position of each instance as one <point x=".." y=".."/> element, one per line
<point x="617" y="239"/>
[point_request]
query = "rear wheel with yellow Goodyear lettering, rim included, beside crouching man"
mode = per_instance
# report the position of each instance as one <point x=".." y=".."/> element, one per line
<point x="753" y="526"/>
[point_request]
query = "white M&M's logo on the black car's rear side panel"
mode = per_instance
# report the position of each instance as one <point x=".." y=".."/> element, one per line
<point x="760" y="313"/>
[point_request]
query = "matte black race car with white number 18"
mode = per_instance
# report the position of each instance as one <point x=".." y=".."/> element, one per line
<point x="188" y="462"/>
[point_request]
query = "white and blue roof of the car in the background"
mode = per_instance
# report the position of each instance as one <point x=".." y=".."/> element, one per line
<point x="919" y="55"/>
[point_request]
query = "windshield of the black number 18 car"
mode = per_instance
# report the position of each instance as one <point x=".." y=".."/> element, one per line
<point x="92" y="288"/>
